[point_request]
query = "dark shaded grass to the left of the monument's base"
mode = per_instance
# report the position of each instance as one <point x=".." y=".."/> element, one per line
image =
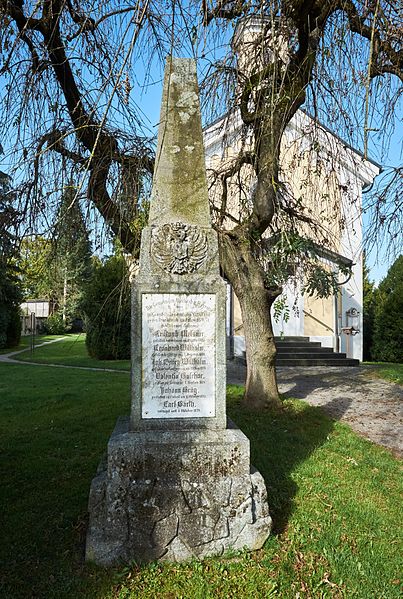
<point x="54" y="426"/>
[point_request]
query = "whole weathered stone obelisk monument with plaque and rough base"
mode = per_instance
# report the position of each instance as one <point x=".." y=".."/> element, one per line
<point x="177" y="481"/>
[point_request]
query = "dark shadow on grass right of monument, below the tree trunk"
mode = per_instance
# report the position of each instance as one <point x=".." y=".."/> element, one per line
<point x="280" y="441"/>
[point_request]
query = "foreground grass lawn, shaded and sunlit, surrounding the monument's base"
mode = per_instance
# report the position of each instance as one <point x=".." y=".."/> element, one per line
<point x="334" y="498"/>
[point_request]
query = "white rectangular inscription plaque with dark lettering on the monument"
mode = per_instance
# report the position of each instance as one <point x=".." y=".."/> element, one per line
<point x="178" y="355"/>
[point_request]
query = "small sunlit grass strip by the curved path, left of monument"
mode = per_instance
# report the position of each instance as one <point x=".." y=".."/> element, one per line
<point x="70" y="352"/>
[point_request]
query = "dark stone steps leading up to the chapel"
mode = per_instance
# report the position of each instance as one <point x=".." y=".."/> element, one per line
<point x="299" y="351"/>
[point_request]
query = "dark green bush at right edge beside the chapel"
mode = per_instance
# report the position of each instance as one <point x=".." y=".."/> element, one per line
<point x="388" y="322"/>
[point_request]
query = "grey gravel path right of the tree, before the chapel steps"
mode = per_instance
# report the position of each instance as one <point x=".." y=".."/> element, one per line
<point x="371" y="406"/>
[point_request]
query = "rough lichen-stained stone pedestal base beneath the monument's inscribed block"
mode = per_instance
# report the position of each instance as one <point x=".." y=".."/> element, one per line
<point x="175" y="495"/>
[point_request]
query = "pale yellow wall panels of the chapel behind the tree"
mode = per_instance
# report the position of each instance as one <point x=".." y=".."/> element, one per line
<point x="310" y="180"/>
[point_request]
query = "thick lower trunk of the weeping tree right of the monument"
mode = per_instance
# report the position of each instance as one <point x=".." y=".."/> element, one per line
<point x="247" y="279"/>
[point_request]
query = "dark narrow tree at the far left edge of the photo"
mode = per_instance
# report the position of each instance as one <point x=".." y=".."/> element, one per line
<point x="10" y="292"/>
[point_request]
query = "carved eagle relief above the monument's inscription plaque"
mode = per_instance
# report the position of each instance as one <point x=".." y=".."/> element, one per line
<point x="178" y="248"/>
